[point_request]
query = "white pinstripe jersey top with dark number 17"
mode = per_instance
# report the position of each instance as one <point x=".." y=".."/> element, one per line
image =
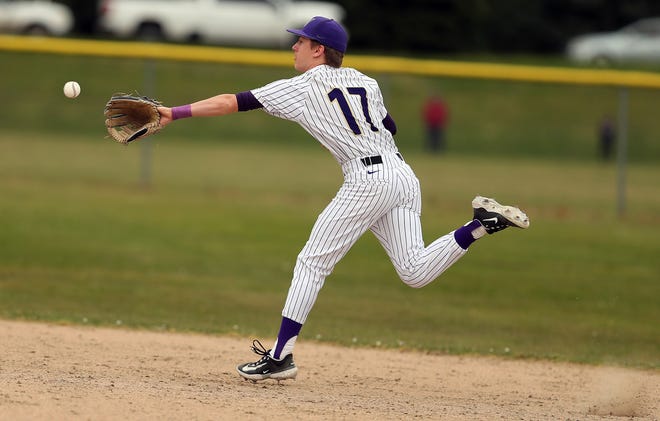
<point x="340" y="107"/>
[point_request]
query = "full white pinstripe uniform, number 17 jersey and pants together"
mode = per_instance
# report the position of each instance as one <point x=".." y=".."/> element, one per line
<point x="343" y="109"/>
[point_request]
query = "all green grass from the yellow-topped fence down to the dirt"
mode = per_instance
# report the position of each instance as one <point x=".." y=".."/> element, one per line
<point x="210" y="243"/>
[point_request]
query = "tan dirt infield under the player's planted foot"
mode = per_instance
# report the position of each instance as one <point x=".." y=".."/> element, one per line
<point x="50" y="372"/>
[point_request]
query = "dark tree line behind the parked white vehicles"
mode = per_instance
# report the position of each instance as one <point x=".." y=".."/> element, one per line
<point x="450" y="26"/>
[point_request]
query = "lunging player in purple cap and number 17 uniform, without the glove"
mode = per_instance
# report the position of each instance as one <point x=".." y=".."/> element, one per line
<point x="343" y="109"/>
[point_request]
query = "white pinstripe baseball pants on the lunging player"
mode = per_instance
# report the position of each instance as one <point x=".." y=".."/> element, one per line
<point x="386" y="199"/>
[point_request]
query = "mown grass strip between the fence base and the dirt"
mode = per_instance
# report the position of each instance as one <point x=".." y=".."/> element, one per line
<point x="211" y="244"/>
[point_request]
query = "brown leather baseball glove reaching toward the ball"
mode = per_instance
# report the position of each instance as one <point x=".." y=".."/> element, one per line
<point x="130" y="117"/>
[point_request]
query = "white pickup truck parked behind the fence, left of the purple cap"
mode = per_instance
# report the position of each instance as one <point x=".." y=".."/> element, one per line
<point x="259" y="23"/>
